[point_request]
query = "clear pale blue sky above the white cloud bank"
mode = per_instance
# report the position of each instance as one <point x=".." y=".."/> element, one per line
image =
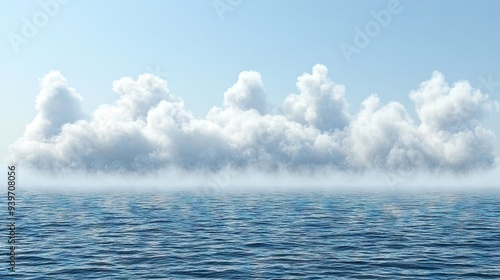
<point x="201" y="51"/>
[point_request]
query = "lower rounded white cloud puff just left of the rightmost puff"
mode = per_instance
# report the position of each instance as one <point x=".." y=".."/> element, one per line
<point x="384" y="136"/>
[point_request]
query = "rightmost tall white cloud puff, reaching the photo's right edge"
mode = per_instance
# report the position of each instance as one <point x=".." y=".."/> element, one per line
<point x="451" y="123"/>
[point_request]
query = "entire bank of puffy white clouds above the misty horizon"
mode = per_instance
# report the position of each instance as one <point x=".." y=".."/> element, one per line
<point x="148" y="129"/>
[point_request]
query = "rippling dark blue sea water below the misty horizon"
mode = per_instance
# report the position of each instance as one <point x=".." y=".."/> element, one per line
<point x="192" y="235"/>
